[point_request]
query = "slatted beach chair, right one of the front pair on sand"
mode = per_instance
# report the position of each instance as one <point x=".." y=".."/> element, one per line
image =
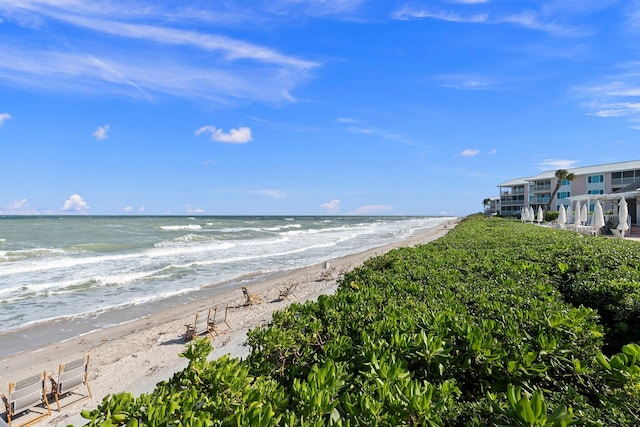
<point x="72" y="376"/>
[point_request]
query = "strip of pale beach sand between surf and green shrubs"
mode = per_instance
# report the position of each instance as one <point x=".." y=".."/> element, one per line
<point x="135" y="356"/>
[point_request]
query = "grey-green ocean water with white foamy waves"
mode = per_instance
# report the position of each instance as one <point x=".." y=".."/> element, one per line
<point x="100" y="270"/>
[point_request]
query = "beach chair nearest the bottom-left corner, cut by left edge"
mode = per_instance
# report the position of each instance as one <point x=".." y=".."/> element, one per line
<point x="27" y="396"/>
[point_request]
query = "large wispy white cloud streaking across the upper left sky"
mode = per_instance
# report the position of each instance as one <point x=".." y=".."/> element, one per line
<point x="149" y="65"/>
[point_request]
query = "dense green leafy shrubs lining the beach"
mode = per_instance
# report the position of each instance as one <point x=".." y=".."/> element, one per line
<point x="498" y="323"/>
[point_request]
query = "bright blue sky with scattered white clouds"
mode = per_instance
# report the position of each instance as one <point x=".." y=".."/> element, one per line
<point x="293" y="107"/>
